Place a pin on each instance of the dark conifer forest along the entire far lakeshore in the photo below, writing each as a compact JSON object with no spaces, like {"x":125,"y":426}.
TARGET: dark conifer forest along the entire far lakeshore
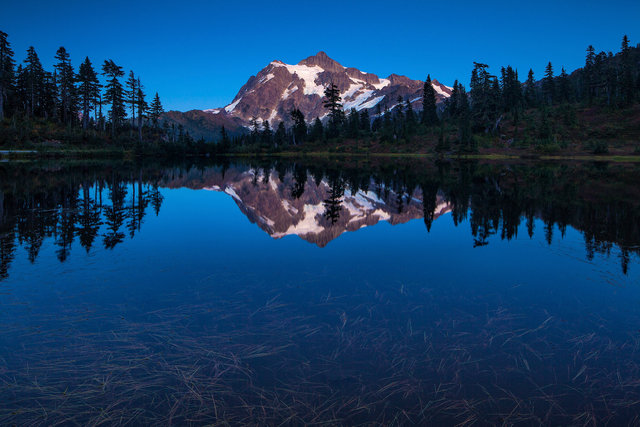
{"x":592,"y":110}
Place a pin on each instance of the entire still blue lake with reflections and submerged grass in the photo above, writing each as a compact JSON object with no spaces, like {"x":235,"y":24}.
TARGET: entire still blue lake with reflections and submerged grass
{"x":270,"y":292}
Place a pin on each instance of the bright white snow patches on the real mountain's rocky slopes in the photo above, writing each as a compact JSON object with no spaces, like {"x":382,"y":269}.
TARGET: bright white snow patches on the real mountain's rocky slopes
{"x":359,"y":95}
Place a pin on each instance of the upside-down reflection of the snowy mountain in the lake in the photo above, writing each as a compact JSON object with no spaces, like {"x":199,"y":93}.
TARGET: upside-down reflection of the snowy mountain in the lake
{"x":271,"y":203}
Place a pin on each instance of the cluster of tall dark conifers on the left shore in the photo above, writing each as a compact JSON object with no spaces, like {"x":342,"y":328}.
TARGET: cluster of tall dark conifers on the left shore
{"x":86,"y":98}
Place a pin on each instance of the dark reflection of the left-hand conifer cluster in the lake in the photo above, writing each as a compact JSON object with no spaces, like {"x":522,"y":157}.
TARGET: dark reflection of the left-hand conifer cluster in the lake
{"x":64,"y":205}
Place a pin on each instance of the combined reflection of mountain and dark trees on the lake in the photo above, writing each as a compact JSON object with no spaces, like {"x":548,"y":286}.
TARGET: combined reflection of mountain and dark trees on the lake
{"x":106,"y":203}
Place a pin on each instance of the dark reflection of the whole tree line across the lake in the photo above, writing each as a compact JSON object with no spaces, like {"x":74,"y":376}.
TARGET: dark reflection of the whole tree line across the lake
{"x":603,"y":202}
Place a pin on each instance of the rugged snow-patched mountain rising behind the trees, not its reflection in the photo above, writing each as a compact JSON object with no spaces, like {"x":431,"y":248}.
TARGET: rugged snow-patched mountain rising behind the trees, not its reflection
{"x":278,"y":88}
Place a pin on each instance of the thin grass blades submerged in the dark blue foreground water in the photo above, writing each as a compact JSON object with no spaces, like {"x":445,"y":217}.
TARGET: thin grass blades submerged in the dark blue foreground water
{"x":245,"y":353}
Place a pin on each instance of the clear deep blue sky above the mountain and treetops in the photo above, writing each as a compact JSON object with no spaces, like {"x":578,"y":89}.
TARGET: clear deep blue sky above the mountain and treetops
{"x":198,"y":54}
